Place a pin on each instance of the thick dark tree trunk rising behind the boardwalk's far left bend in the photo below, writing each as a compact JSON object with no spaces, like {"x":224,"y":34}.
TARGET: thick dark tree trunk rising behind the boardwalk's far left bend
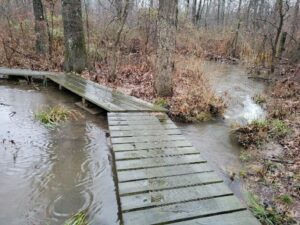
{"x":75,"y":52}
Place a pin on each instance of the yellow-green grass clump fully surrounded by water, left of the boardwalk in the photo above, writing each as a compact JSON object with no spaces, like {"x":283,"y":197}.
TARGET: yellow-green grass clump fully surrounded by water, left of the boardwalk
{"x":52,"y":116}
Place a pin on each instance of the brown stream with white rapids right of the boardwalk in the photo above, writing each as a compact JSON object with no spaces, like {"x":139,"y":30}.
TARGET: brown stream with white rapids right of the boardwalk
{"x":213,"y":138}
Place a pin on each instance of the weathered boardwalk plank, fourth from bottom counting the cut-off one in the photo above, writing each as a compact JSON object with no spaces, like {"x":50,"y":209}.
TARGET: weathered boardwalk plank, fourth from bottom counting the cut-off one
{"x":163,"y":183}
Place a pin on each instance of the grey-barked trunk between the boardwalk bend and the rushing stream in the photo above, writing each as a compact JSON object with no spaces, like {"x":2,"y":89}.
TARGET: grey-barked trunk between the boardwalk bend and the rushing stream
{"x":166,"y":40}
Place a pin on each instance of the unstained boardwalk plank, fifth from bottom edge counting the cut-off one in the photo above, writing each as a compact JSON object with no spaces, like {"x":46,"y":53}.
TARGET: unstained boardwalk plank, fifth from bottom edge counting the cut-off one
{"x":158,"y":172}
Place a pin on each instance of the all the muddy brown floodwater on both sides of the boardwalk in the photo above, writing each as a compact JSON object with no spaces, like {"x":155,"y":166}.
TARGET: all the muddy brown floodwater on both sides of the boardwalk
{"x":47,"y":175}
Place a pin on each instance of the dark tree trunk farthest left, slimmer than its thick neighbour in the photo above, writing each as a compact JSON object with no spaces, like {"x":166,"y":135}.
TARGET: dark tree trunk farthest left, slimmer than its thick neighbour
{"x":40,"y":27}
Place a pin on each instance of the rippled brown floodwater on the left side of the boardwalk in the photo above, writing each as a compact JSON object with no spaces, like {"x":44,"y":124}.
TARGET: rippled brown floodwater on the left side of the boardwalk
{"x":48,"y":175}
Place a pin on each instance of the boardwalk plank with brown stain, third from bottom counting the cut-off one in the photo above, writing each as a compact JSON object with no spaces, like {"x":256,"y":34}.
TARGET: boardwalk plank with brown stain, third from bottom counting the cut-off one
{"x":177,"y":195}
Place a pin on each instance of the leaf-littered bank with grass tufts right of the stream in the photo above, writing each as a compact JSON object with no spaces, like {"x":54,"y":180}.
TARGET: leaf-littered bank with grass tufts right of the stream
{"x":271,"y":154}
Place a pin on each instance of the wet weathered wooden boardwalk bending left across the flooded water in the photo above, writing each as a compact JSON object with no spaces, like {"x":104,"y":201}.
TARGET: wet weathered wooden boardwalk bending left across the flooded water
{"x":161,"y":177}
